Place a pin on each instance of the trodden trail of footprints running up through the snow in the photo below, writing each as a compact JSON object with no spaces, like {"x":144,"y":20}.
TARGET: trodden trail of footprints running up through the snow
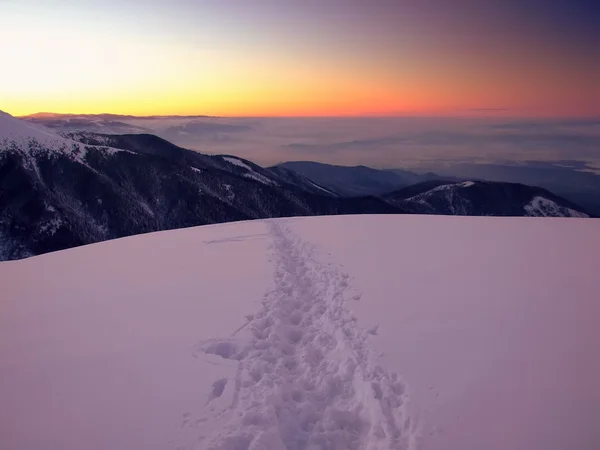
{"x":305,"y":377}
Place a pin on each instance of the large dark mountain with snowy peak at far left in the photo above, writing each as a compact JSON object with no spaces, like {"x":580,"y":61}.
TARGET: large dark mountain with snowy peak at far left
{"x":58,"y":192}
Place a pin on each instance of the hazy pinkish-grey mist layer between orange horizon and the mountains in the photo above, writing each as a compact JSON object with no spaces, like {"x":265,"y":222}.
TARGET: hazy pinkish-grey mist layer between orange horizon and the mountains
{"x":388,"y":142}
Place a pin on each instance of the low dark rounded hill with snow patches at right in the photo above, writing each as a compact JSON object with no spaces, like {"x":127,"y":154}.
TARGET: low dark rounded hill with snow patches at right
{"x":482,"y":198}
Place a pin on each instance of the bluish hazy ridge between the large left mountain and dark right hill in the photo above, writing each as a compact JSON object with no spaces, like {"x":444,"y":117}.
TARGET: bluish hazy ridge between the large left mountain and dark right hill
{"x":357,"y":180}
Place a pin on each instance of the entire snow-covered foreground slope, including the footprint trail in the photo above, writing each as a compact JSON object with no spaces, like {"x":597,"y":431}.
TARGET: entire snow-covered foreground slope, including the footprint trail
{"x":347,"y":332}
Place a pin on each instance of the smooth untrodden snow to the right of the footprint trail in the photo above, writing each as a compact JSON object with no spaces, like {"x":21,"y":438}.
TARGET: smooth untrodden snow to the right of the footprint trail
{"x":492,"y":322}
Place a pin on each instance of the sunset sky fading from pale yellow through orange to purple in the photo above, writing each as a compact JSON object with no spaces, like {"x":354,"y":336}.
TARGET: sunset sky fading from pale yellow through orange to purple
{"x":301,"y":57}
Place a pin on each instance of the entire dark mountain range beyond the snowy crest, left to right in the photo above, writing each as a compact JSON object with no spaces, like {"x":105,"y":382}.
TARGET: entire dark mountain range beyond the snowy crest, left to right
{"x":61,"y":190}
